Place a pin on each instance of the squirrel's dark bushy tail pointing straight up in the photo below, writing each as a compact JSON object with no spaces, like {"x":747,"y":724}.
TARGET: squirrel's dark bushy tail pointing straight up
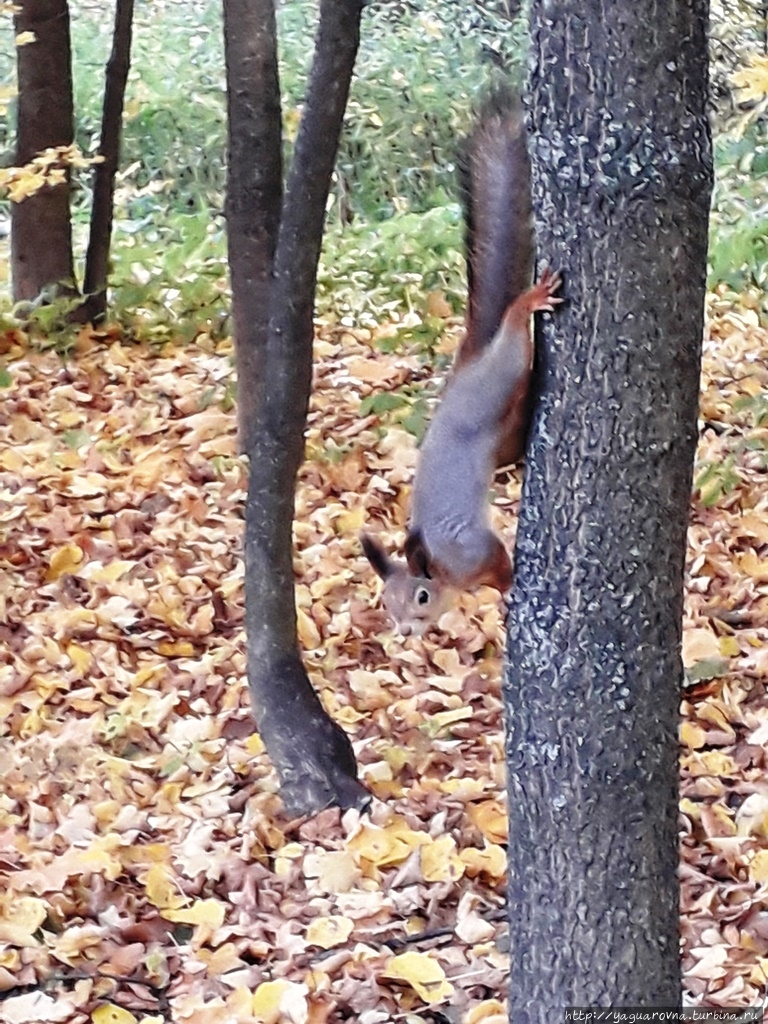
{"x":496,"y":186}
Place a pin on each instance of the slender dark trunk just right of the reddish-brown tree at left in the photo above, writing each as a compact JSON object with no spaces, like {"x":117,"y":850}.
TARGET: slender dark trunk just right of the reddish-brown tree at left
{"x":98,"y":257}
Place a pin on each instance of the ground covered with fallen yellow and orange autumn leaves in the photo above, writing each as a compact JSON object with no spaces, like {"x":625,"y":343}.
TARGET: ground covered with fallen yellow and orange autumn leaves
{"x":146,"y":872}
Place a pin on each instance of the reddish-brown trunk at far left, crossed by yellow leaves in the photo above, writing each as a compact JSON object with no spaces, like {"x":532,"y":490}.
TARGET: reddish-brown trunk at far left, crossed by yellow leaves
{"x":41,"y":232}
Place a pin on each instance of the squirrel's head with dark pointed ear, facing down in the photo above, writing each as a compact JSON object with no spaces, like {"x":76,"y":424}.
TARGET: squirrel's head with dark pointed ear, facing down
{"x":413,"y":600}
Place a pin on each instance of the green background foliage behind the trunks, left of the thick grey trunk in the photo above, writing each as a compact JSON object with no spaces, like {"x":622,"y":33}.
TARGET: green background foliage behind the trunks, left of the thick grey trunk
{"x":395,"y":226}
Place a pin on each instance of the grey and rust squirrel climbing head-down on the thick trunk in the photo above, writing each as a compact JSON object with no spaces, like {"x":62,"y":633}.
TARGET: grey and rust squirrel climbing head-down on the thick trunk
{"x":482,"y":421}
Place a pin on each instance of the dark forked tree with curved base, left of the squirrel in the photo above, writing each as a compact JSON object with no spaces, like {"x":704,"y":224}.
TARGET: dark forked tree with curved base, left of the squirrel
{"x":274,"y":254}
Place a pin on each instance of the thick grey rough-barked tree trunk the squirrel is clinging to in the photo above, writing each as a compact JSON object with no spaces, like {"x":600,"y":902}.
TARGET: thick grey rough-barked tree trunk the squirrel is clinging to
{"x":622,"y":182}
